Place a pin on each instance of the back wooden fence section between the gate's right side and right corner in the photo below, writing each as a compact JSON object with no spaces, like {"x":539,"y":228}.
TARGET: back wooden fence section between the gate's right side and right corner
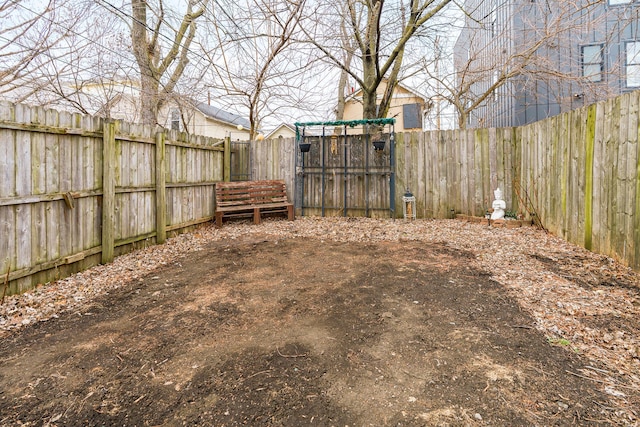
{"x":451,"y":172}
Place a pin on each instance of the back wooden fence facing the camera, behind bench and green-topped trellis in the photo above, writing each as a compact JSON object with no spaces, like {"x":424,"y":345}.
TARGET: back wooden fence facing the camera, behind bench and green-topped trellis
{"x":449,"y":172}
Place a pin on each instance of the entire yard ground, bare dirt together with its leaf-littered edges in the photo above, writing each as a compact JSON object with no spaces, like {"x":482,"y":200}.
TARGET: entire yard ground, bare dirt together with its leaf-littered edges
{"x":330,"y":322}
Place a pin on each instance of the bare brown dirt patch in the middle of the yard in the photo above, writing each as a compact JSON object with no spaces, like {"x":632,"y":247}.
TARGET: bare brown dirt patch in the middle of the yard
{"x":298,"y":331}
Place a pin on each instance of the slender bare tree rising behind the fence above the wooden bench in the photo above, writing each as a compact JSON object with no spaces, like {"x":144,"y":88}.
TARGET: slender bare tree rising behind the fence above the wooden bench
{"x":253,"y":62}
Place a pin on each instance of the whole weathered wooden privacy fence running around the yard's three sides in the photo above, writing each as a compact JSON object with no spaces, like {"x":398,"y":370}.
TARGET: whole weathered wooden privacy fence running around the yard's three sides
{"x":75,"y":190}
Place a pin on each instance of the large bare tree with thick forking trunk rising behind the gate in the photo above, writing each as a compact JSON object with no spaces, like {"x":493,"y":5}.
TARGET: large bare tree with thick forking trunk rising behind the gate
{"x":381,"y":31}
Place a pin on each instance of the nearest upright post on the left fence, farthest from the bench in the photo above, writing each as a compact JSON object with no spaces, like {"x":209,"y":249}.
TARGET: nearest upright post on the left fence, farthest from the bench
{"x":108,"y":189}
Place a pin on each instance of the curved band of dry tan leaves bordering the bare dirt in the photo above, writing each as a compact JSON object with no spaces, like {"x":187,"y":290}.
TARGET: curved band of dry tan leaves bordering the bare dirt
{"x":583,"y":301}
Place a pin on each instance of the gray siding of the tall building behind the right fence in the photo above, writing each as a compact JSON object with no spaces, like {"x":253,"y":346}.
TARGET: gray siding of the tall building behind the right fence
{"x":496,"y":32}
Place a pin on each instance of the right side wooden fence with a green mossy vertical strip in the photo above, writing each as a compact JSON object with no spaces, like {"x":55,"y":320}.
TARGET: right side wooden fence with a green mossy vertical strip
{"x":582,"y":173}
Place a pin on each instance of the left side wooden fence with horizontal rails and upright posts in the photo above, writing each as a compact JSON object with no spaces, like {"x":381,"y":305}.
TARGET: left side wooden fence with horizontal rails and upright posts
{"x":76,"y":190}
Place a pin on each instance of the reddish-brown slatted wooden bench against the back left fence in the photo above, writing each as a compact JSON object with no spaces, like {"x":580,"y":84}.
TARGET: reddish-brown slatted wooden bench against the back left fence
{"x":246,"y":198}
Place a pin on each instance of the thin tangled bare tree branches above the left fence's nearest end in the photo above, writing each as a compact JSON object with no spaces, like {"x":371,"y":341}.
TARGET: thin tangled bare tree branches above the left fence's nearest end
{"x":73,"y":55}
